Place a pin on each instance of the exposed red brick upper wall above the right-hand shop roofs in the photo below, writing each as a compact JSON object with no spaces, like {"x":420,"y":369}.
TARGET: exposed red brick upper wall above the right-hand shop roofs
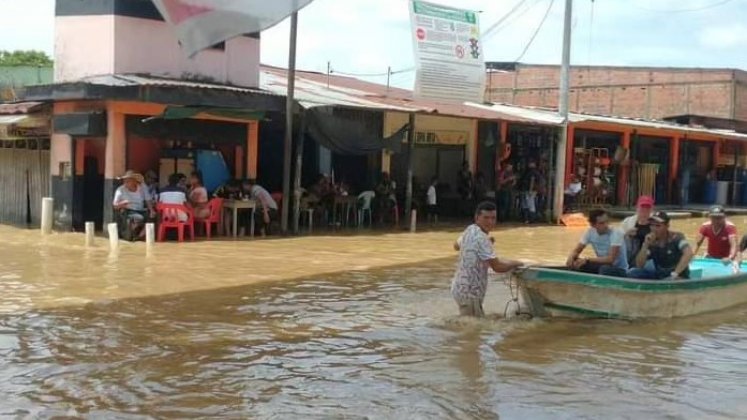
{"x":625,"y":91}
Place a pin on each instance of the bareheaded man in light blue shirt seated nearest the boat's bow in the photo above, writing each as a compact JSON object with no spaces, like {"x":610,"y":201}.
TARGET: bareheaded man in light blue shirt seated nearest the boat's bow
{"x":609,"y":246}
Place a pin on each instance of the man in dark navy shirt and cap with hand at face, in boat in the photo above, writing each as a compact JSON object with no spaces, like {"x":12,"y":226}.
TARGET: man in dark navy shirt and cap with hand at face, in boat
{"x":669,"y":251}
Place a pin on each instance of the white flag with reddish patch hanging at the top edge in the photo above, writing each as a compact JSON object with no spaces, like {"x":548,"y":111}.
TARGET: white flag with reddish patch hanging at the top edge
{"x":200,"y":24}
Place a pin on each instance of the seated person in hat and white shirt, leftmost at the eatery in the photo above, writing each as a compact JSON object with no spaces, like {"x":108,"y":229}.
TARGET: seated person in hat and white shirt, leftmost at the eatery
{"x":135,"y":204}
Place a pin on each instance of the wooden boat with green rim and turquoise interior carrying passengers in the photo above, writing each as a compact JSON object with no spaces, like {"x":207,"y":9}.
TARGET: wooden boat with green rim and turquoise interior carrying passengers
{"x":555,"y":292}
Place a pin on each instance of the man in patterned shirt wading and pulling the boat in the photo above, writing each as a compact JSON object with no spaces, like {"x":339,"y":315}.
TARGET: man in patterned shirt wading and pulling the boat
{"x":476,"y":254}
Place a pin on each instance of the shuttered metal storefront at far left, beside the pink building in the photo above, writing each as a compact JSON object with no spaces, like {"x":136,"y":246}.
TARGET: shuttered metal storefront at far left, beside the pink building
{"x":24,"y":167}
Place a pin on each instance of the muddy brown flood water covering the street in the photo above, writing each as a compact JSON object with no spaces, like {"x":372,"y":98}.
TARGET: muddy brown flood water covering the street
{"x":177,"y":334}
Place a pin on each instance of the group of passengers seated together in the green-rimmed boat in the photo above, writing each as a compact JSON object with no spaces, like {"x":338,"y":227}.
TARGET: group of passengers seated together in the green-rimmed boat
{"x":644,"y":247}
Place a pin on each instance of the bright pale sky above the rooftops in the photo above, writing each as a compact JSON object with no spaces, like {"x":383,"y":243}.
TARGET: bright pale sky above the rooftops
{"x":368,"y":36}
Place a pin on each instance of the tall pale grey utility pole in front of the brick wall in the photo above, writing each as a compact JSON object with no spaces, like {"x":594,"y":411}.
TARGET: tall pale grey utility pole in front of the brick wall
{"x":565,"y":71}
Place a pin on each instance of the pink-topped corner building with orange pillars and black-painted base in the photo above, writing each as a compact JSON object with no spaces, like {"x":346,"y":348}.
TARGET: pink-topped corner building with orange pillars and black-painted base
{"x":118,"y":65}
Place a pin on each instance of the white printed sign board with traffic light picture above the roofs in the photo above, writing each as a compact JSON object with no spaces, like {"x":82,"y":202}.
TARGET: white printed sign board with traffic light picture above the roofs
{"x":448,"y":53}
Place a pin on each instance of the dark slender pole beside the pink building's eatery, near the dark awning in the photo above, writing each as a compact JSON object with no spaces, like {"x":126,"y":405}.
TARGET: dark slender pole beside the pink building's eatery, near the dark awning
{"x":289,"y":109}
